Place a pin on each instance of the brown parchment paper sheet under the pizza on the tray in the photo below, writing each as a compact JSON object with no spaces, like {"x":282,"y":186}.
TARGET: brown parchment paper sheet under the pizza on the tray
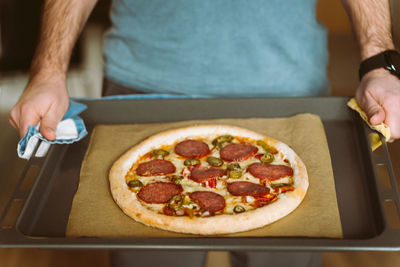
{"x":94,"y":213}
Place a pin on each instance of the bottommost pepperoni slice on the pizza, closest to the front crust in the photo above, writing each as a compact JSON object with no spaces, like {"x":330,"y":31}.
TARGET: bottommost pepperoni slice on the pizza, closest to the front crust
{"x":209,"y":201}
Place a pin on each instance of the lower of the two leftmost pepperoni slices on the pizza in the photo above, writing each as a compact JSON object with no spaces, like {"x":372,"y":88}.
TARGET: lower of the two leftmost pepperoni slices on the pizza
{"x":159,"y":192}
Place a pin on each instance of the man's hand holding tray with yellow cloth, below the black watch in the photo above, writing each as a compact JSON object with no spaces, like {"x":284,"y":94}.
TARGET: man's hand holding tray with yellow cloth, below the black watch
{"x":379,"y":96}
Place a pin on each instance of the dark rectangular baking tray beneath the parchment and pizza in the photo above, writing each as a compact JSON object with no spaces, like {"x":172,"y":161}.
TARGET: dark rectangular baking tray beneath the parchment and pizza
{"x":42,"y":220}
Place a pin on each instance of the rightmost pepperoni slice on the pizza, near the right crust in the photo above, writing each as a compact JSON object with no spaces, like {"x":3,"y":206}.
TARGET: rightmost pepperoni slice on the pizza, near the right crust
{"x":269,"y":171}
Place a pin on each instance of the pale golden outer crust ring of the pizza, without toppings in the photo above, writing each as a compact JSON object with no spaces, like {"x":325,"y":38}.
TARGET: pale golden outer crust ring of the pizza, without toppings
{"x":220,"y":224}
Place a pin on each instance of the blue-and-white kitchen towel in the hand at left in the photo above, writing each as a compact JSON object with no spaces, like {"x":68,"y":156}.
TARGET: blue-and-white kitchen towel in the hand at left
{"x":71,"y":129}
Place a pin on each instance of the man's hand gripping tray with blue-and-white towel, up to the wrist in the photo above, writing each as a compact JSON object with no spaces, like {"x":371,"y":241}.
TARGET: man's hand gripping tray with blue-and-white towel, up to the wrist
{"x":44,"y":101}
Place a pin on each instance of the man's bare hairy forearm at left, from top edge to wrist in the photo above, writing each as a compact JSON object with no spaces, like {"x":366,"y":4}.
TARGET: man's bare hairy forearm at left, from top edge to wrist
{"x":62,"y":22}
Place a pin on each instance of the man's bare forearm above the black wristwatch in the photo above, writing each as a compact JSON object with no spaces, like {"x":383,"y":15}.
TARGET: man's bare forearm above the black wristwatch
{"x":371,"y":24}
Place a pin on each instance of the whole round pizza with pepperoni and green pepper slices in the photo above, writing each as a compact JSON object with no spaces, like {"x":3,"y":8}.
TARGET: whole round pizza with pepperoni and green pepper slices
{"x":208,"y":179}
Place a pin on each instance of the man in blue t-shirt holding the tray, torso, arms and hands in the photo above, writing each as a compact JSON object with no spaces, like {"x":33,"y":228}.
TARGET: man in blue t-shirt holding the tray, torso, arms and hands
{"x":217,"y":48}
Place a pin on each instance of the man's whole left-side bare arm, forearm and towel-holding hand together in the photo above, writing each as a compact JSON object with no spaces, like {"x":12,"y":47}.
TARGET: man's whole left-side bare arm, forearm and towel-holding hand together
{"x":45,"y":98}
